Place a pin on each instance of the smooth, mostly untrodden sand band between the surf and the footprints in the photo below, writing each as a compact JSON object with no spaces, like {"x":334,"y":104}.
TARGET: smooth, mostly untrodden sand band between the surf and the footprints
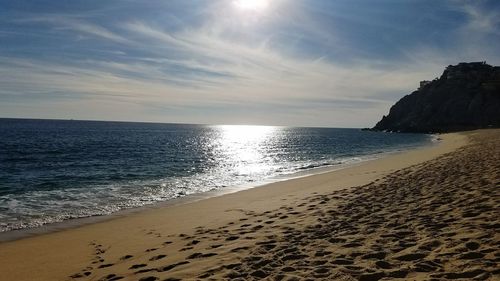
{"x":140,"y":230}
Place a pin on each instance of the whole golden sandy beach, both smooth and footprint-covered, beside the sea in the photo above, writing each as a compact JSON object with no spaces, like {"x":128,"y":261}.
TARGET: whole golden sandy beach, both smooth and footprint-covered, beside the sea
{"x":428,"y":214}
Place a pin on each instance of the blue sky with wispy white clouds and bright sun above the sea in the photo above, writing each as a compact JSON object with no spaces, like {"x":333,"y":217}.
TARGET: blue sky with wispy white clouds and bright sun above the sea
{"x":324,"y":63}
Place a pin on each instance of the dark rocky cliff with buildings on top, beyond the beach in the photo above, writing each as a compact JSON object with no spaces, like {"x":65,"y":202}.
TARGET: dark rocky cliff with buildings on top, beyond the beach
{"x":466,"y":96}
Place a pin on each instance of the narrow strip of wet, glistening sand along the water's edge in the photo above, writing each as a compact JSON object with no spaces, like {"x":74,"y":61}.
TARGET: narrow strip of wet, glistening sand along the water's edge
{"x":22,"y":233}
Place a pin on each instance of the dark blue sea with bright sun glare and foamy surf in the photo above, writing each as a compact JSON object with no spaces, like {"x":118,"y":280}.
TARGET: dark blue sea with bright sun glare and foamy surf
{"x":56,"y":170}
